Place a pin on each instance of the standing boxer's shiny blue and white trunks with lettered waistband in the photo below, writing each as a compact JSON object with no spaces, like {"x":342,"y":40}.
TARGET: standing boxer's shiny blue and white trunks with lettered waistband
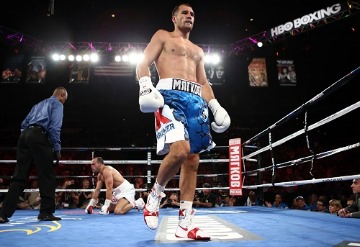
{"x":185,"y":116}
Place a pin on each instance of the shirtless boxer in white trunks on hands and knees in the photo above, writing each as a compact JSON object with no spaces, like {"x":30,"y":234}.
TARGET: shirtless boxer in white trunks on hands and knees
{"x":122,"y":200}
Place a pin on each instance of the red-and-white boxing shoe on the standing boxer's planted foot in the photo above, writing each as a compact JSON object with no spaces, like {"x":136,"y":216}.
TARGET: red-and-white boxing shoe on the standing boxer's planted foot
{"x":186,"y":229}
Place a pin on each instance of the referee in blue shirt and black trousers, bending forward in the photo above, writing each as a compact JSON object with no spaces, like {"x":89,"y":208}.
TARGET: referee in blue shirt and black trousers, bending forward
{"x":38,"y":143}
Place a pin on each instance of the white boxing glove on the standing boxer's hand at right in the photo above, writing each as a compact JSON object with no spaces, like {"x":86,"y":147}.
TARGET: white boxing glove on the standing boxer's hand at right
{"x":221,"y":117}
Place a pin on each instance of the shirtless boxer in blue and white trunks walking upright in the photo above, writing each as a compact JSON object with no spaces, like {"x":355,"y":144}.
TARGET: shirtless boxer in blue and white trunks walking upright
{"x":180,"y":101}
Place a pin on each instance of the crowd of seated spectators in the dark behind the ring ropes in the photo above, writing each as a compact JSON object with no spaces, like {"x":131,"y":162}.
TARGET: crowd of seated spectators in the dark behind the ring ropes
{"x":312,"y":197}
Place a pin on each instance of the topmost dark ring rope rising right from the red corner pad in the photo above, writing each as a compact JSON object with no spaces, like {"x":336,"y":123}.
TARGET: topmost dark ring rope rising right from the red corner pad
{"x":339,"y":83}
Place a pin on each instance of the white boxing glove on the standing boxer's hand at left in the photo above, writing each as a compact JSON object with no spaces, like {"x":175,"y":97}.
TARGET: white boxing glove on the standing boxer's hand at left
{"x":150,"y":99}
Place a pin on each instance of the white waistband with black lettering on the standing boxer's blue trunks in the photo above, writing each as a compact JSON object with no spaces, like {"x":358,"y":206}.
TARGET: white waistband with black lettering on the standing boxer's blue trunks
{"x":180,"y":85}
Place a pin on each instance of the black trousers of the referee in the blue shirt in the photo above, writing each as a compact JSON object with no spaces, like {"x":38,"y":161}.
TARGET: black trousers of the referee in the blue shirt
{"x":33,"y":148}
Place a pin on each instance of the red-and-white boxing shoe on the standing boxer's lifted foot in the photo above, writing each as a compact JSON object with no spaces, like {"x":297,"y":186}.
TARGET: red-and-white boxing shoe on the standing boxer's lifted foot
{"x":151,"y":209}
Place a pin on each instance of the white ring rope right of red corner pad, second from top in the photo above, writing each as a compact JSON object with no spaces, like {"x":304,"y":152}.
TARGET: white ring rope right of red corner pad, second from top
{"x":311,"y":127}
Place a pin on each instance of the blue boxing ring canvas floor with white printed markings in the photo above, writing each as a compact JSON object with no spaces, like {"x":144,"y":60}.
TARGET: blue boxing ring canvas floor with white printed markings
{"x":229,"y":226}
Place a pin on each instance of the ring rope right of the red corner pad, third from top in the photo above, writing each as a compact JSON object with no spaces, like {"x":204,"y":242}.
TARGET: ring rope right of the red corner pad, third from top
{"x":307,"y":158}
